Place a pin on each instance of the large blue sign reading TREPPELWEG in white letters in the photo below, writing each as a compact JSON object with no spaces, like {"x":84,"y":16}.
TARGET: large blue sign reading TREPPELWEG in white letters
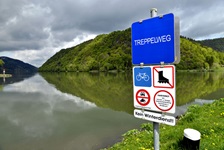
{"x":153,"y":40}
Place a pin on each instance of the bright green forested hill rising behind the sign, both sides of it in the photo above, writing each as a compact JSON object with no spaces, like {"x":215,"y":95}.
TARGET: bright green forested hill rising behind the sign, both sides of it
{"x":113,"y":52}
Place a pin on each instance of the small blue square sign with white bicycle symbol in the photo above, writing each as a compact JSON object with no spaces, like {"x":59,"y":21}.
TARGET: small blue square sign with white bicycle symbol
{"x":142,"y":76}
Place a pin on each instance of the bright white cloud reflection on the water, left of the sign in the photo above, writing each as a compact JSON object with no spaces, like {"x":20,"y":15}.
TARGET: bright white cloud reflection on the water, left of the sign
{"x":50,"y":95}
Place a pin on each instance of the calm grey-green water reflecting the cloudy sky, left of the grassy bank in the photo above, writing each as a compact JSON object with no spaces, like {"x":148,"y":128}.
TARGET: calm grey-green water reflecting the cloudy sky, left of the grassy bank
{"x":35,"y":115}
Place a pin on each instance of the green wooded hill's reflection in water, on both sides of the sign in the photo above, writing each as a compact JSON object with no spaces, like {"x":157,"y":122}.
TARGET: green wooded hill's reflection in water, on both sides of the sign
{"x":115,"y":91}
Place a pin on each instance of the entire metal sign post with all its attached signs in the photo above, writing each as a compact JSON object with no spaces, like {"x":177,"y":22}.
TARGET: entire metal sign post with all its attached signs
{"x":155,"y":41}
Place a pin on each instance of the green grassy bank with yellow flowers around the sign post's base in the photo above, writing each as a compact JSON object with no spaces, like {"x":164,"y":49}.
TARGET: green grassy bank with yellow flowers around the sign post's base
{"x":207,"y":119}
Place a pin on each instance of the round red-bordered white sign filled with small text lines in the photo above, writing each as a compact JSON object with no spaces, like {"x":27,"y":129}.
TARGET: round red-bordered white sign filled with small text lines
{"x":163,"y":100}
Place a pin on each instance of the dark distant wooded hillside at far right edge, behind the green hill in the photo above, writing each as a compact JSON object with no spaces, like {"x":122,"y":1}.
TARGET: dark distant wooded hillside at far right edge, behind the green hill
{"x":216,"y":44}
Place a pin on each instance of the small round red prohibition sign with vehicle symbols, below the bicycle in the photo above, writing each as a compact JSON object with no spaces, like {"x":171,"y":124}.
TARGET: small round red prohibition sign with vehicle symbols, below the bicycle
{"x":142,"y":96}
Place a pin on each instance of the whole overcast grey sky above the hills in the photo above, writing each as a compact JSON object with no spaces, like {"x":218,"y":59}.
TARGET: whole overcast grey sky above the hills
{"x":34,"y":30}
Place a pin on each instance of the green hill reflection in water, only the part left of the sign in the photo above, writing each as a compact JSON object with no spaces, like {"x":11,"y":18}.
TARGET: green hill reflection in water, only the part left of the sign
{"x":108,"y":90}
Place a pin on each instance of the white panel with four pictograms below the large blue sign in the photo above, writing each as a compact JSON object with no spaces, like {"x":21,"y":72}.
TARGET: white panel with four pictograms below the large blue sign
{"x":157,"y":91}
